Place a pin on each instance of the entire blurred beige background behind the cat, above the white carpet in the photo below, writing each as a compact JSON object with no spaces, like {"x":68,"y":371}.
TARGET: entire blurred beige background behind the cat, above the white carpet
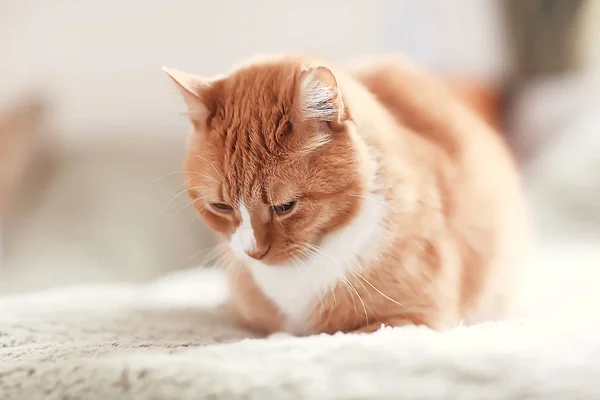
{"x":100,"y":132}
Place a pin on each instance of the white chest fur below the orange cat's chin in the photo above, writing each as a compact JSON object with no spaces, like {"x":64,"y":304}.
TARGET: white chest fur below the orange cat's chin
{"x":295,"y":288}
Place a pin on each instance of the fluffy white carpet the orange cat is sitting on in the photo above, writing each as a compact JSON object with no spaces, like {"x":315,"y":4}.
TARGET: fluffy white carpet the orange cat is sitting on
{"x":170,"y":340}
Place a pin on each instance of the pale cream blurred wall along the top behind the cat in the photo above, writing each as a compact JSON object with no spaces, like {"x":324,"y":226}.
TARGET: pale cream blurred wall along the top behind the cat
{"x":101,"y":60}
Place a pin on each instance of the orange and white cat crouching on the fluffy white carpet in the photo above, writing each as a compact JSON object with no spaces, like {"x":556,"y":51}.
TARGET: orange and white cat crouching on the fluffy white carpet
{"x":352,"y":198}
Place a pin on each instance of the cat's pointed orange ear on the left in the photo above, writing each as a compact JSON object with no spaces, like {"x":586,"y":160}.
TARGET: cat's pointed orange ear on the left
{"x":195,"y":93}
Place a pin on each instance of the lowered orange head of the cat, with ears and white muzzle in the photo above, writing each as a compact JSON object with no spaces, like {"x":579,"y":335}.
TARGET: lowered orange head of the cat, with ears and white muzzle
{"x":272,"y":164}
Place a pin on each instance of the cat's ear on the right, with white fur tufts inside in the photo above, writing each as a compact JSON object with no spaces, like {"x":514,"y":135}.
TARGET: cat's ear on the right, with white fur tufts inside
{"x":320,"y":95}
